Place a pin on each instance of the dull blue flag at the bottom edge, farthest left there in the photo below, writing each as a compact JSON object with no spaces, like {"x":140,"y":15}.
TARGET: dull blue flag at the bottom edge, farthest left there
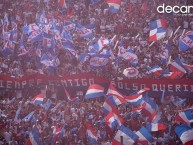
{"x":34,"y":137}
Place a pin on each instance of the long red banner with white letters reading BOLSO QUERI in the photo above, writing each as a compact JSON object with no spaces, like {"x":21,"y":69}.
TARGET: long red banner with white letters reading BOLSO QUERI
{"x":80,"y":82}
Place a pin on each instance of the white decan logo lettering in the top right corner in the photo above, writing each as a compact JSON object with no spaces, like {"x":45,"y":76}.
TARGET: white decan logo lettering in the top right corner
{"x":174,"y":9}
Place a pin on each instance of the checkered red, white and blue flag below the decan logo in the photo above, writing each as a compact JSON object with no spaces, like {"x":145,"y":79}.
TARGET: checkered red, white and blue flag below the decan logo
{"x":157,"y":30}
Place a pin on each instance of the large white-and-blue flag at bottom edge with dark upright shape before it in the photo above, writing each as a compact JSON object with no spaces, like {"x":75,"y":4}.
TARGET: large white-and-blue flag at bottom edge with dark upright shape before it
{"x":129,"y":137}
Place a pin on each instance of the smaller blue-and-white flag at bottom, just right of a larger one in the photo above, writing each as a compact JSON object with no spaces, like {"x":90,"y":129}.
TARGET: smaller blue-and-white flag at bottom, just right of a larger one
{"x":144,"y":135}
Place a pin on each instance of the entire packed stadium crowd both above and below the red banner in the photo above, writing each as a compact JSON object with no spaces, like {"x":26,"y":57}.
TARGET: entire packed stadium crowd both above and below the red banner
{"x":131,"y":27}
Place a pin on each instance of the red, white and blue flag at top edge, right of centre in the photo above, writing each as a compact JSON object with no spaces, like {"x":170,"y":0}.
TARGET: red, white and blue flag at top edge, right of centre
{"x":114,"y":5}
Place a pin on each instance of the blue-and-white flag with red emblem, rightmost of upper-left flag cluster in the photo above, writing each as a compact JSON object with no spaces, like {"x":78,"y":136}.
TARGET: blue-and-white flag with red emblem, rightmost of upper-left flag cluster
{"x":83,"y":31}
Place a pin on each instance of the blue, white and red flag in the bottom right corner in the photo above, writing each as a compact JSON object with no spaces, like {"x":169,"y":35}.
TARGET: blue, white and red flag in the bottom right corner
{"x":184,"y":132}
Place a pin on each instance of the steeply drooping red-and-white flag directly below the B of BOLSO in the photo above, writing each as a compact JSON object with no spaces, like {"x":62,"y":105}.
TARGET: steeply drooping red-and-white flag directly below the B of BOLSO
{"x":117,"y":96}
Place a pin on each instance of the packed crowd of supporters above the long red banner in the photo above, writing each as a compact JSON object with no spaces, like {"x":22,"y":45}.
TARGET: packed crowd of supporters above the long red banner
{"x":131,"y":25}
